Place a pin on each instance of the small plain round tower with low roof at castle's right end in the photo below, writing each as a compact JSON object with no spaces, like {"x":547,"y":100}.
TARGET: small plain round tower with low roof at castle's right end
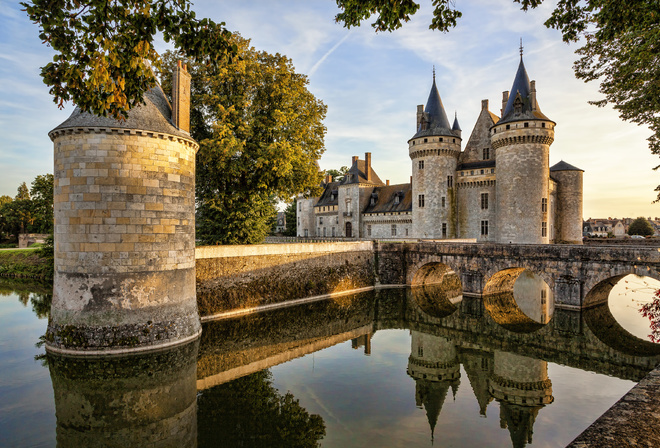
{"x":569,"y":203}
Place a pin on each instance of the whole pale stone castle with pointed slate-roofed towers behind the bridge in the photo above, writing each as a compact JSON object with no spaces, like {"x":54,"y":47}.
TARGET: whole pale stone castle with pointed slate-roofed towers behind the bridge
{"x":499,"y":188}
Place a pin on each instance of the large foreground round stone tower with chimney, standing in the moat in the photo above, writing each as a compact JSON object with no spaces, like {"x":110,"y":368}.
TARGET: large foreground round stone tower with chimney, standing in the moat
{"x":124,"y":205}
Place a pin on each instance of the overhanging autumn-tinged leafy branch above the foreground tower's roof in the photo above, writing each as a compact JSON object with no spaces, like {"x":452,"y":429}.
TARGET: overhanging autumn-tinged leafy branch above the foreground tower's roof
{"x":104,"y":50}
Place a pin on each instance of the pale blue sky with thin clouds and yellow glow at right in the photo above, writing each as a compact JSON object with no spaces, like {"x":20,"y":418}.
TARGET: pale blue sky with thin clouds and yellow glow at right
{"x":372,"y":83}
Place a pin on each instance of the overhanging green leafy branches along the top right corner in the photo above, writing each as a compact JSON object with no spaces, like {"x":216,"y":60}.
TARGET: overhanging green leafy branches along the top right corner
{"x":622,"y":47}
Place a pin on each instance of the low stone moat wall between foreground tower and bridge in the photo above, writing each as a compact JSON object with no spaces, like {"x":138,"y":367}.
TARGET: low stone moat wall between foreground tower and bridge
{"x":243,"y":277}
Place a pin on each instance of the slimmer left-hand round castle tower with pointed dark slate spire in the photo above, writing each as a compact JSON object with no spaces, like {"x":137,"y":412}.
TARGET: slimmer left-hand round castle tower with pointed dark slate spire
{"x":434,"y":151}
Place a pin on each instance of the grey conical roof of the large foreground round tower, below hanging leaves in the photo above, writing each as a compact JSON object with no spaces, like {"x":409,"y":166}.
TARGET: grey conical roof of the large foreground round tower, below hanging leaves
{"x":155,"y":115}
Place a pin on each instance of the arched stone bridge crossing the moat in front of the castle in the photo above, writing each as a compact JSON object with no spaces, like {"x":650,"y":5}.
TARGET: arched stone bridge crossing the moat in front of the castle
{"x":579,"y":276}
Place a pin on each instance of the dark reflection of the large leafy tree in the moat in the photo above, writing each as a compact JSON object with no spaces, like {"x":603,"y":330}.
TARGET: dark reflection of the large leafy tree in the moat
{"x":250,"y":412}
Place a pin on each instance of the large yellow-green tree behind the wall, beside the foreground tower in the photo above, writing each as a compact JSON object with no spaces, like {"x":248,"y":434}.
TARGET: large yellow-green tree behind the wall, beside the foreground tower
{"x":260,"y":132}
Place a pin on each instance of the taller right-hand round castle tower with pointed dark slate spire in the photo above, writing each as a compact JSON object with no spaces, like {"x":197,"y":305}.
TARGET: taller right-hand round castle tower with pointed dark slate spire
{"x":521,"y":140}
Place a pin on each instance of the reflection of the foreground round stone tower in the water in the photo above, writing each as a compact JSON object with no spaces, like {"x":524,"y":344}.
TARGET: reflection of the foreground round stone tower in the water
{"x":130,"y":401}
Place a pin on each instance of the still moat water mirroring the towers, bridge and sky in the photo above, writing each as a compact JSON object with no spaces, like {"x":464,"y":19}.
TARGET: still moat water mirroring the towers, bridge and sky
{"x":391,"y":368}
